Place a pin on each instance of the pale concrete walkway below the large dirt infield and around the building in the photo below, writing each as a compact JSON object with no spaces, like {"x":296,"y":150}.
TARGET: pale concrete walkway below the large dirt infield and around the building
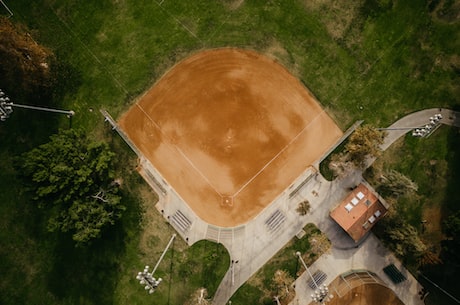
{"x":251,"y":245}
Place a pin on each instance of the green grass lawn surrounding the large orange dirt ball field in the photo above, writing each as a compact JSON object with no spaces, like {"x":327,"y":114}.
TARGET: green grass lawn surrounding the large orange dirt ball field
{"x":387,"y":57}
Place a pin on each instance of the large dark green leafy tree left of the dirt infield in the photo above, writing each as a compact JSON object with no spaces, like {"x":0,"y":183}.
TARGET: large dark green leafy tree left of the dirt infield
{"x":73,"y":178}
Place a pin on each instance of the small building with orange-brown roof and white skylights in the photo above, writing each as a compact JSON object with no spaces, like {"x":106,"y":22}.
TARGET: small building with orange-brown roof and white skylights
{"x":359,"y":211}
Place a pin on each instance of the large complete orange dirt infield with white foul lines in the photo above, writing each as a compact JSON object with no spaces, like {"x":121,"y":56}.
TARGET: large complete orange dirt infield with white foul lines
{"x":229,"y":130}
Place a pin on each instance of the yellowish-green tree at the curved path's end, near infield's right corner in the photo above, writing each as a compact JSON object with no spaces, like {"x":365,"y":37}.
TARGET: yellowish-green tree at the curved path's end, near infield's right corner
{"x":364,"y":143}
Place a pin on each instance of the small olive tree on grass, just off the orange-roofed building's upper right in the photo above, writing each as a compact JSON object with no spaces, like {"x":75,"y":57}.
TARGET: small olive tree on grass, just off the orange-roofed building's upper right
{"x":396,"y":184}
